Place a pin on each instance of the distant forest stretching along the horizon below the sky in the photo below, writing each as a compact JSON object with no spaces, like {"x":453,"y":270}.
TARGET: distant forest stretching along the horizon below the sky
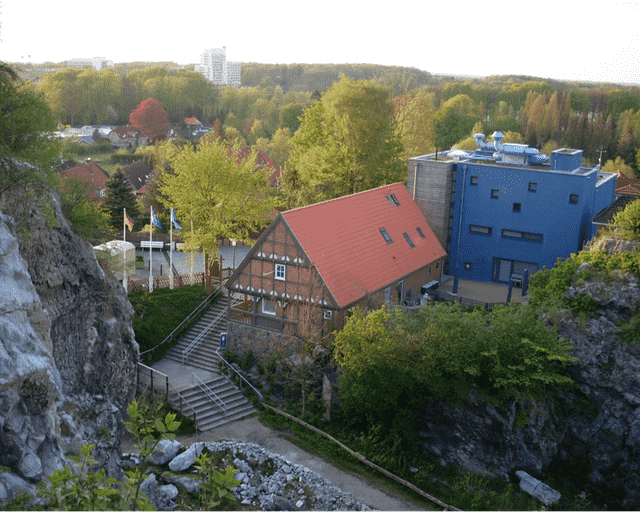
{"x":429,"y":112}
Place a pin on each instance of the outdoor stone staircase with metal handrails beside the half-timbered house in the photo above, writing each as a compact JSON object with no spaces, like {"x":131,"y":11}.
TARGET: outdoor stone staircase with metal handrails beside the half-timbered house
{"x":203,"y":361}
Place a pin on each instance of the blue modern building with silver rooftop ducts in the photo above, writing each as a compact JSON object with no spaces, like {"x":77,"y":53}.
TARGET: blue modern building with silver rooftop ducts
{"x":507,"y":208}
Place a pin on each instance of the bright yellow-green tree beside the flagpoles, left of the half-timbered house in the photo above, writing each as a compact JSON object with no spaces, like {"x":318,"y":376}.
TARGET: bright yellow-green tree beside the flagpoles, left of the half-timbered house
{"x":224,"y":195}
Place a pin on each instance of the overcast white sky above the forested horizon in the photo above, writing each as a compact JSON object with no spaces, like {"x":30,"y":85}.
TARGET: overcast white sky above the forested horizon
{"x":560,"y":39}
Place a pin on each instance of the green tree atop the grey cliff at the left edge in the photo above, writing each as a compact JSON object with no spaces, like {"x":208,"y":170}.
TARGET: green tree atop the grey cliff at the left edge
{"x":25,"y":121}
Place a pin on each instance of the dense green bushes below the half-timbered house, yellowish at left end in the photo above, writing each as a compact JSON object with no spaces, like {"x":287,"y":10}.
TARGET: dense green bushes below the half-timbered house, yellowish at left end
{"x":388,"y":358}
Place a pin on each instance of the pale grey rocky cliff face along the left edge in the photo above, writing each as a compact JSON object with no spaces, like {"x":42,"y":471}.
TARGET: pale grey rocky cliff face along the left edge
{"x":67,"y":350}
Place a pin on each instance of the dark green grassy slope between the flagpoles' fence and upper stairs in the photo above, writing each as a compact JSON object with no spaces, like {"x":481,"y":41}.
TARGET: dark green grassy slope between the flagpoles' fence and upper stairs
{"x":157,"y":314}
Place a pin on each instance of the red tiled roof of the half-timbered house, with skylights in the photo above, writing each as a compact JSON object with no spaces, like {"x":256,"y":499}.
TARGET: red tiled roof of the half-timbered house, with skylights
{"x":342,"y":239}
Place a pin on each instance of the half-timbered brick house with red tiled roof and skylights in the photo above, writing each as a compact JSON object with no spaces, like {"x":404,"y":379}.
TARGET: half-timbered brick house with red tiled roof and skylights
{"x":363,"y":250}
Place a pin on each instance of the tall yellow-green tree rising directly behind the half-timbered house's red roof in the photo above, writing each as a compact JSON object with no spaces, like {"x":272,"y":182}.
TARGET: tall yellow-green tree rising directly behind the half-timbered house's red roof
{"x":346,"y":141}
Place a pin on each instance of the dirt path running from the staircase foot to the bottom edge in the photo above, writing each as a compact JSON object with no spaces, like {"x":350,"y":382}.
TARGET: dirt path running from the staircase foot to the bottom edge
{"x":250,"y":430}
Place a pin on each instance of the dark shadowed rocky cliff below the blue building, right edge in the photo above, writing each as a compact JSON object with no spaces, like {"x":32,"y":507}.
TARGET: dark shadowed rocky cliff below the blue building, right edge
{"x":592,"y":431}
